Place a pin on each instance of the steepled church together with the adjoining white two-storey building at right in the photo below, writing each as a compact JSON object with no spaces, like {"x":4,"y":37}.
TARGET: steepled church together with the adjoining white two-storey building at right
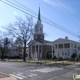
{"x":62,"y":47}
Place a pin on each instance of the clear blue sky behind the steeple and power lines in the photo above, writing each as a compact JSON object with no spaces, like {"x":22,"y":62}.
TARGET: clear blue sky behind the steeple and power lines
{"x":65,"y":13}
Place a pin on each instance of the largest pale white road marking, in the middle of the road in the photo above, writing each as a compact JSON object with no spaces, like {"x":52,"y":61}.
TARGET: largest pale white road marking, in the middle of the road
{"x":46,"y":70}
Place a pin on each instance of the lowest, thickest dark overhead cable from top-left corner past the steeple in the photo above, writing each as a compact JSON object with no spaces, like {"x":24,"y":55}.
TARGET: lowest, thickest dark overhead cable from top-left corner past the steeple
{"x":58,"y":27}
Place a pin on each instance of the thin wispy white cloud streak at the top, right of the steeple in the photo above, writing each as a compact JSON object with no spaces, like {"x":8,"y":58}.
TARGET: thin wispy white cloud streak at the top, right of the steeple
{"x":59,"y":4}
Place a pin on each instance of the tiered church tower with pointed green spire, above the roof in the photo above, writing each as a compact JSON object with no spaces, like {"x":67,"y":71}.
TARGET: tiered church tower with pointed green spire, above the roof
{"x":39,"y":35}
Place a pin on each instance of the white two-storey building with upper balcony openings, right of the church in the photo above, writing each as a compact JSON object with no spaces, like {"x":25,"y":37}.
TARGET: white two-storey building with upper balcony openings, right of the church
{"x":65,"y":48}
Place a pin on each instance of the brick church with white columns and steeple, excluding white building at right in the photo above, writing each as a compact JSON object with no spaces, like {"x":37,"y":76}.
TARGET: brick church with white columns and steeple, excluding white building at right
{"x":38,"y":47}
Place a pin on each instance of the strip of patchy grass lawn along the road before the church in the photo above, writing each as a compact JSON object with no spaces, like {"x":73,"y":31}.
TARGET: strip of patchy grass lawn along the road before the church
{"x":45,"y":62}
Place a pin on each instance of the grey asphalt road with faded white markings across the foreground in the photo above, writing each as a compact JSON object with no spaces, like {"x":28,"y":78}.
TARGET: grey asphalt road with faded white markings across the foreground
{"x":26,"y":71}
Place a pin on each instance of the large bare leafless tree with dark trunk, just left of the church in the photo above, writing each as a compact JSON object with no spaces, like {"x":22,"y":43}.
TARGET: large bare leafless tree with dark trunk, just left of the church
{"x":22,"y":29}
